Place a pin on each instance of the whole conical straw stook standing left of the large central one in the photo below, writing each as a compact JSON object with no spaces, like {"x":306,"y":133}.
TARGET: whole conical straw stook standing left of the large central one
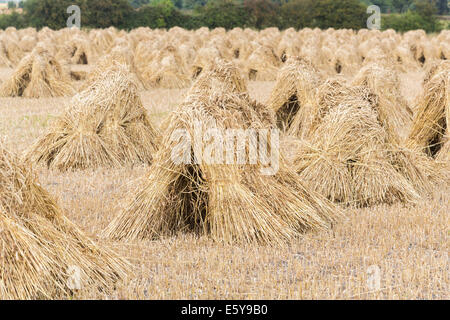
{"x":104,"y":125}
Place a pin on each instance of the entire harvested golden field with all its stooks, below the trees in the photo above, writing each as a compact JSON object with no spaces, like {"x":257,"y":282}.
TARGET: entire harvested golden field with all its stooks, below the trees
{"x":115,"y":163}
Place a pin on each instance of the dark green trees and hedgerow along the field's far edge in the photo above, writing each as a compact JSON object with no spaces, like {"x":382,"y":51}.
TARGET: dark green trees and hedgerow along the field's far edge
{"x":258,"y":14}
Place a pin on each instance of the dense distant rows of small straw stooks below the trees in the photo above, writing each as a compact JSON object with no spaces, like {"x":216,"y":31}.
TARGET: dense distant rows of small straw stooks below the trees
{"x":173,"y":58}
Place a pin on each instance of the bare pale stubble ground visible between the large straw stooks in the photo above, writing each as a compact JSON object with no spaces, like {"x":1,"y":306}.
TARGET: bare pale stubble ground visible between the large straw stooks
{"x":409,"y":244}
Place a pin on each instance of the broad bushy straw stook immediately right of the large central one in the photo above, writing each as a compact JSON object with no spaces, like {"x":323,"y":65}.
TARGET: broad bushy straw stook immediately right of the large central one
{"x":350,"y":156}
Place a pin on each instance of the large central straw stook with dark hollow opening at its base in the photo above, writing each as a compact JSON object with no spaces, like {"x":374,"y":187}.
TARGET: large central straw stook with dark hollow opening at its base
{"x":232,"y":203}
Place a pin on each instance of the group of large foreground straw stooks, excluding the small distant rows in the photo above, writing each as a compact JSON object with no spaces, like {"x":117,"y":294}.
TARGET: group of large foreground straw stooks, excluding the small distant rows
{"x":343,"y":144}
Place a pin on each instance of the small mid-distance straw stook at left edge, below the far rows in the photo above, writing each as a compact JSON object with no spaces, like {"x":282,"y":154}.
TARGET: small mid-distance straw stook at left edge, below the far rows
{"x":38,"y":75}
